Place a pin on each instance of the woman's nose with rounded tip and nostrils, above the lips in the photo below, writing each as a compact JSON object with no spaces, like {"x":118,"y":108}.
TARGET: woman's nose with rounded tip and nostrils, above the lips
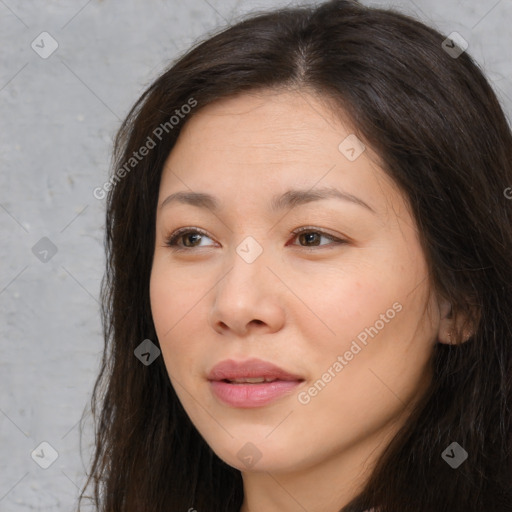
{"x":248,"y":299}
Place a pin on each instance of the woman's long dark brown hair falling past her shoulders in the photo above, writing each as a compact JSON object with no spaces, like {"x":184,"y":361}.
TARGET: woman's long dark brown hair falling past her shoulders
{"x":444,"y":140}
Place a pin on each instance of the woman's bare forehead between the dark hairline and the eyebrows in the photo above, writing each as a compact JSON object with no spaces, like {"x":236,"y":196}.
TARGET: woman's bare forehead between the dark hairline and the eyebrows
{"x":270,"y":140}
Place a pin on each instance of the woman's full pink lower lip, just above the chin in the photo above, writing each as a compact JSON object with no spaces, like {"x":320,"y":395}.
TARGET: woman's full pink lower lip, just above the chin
{"x":252,"y":395}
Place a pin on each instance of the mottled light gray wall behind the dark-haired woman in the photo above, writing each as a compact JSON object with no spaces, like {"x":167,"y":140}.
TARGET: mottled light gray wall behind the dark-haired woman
{"x":58,"y":116}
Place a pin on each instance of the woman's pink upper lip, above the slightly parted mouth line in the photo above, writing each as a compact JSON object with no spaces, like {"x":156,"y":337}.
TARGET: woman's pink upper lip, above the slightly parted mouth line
{"x":250,"y":368}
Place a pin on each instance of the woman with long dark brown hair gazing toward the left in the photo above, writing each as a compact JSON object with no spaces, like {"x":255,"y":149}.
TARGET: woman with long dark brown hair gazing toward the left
{"x":250,"y":367}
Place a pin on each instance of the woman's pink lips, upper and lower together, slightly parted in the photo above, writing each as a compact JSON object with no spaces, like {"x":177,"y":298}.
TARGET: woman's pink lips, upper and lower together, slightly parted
{"x":250,"y":395}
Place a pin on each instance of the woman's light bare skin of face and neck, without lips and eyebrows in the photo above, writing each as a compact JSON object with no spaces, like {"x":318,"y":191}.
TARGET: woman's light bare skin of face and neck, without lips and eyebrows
{"x":300,"y":304}
